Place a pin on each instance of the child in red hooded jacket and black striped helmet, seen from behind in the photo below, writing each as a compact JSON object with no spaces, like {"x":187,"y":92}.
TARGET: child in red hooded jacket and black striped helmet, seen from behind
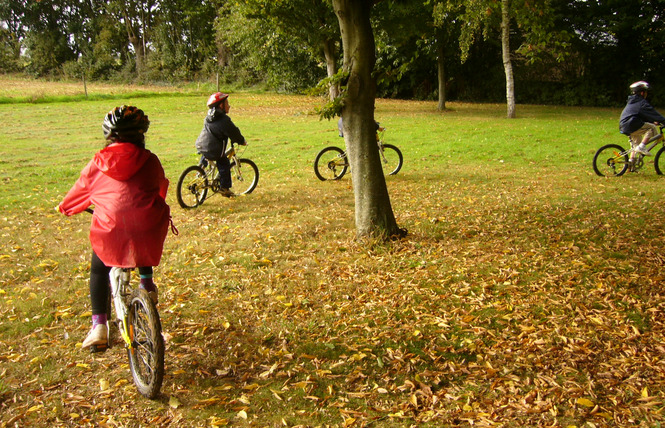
{"x":127,"y":186}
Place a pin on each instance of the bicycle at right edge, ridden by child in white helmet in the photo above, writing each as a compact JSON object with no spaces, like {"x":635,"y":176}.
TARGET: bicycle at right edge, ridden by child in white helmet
{"x":613,"y":160}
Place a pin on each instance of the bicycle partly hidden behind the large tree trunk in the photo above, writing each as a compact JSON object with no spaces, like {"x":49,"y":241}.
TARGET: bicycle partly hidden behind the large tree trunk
{"x":331,"y":163}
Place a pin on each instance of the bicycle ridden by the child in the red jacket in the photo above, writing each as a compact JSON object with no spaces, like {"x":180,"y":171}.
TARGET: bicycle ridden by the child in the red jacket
{"x":140,"y":328}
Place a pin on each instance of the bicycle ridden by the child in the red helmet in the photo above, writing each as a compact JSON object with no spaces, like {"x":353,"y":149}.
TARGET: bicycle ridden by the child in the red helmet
{"x":196,"y":180}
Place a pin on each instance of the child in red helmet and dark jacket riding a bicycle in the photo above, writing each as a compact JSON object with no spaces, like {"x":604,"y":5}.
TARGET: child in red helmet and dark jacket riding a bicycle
{"x":218,"y":128}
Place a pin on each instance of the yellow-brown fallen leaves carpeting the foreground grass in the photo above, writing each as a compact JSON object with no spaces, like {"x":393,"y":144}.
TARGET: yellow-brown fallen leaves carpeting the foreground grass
{"x":499,"y":309}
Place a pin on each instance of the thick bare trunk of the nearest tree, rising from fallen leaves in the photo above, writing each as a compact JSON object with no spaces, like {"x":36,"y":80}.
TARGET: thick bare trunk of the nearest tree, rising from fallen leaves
{"x":374,"y":214}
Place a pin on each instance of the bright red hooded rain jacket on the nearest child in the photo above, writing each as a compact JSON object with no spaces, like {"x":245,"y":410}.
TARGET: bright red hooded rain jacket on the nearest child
{"x":127,"y":186}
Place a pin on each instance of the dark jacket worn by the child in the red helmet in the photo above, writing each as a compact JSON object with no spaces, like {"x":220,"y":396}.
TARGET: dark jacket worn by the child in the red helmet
{"x":218,"y":128}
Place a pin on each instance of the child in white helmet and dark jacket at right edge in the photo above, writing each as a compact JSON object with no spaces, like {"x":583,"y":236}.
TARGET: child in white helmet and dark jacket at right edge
{"x":639,"y":119}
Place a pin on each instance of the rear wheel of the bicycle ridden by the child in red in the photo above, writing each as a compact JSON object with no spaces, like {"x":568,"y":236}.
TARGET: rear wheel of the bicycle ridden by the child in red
{"x":146,"y":355}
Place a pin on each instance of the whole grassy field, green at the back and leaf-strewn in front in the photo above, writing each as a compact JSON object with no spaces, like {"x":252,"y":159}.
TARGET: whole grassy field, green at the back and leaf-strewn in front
{"x":528,"y":292}
